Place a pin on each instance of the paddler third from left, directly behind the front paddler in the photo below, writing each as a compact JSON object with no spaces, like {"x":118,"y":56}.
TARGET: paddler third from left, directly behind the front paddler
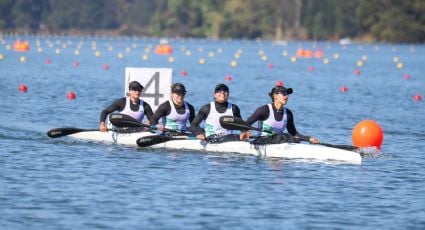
{"x":211,"y":113}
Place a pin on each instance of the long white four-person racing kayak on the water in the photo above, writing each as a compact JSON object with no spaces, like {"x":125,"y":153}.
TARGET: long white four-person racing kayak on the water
{"x":284,"y":150}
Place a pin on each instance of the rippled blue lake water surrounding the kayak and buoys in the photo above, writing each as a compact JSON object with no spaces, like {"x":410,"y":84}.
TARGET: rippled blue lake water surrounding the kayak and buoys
{"x":67,"y":184}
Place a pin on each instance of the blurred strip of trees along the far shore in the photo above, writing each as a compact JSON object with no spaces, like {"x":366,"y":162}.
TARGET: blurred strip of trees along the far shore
{"x":369,"y":20}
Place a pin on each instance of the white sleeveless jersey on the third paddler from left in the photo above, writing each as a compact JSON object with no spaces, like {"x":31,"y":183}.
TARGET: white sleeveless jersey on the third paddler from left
{"x":212,"y":123}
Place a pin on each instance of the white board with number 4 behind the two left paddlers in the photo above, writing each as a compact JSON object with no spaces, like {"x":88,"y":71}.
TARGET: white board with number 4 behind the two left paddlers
{"x":156,"y":83}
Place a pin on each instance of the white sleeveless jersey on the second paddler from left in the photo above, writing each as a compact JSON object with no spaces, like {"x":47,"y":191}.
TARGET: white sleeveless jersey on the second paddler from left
{"x":176,"y":121}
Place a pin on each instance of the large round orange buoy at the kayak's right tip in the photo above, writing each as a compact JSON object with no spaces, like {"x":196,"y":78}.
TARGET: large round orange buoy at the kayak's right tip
{"x":367,"y":133}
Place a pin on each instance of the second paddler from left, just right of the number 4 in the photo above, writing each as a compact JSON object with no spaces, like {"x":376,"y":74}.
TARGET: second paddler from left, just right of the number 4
{"x":175,"y":113}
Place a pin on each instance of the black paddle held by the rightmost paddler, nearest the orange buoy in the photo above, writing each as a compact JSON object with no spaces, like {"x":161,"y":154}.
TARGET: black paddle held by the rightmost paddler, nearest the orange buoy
{"x":236,"y":123}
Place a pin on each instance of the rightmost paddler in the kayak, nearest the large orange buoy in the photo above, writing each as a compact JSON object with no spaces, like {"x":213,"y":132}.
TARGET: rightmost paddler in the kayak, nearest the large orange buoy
{"x":277,"y":118}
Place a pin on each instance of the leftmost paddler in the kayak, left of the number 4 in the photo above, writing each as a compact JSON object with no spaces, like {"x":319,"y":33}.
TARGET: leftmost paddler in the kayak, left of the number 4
{"x":131,"y":105}
